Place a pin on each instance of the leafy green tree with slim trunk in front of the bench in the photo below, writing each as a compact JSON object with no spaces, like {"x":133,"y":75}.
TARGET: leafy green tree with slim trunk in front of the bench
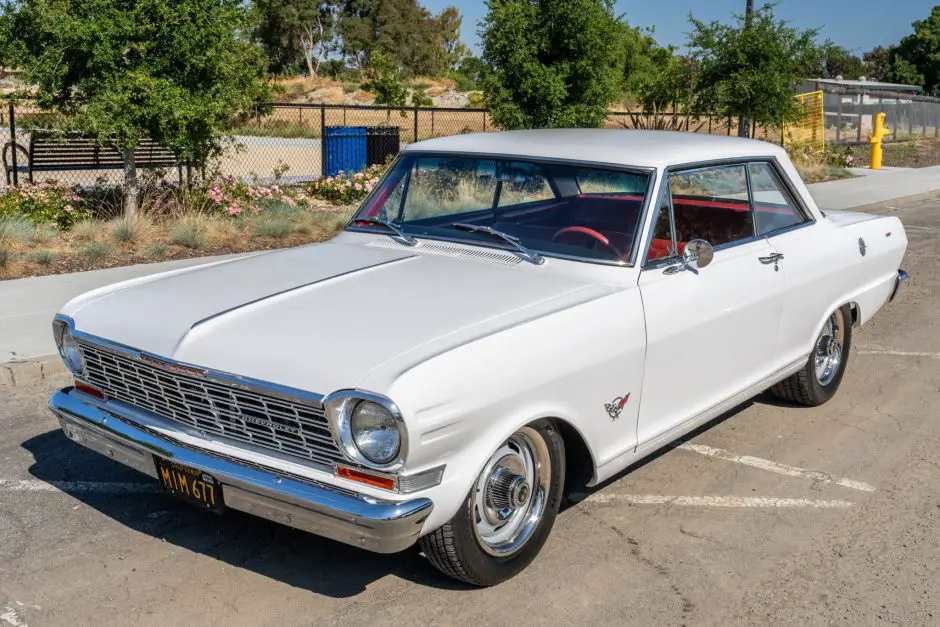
{"x":173,"y":70}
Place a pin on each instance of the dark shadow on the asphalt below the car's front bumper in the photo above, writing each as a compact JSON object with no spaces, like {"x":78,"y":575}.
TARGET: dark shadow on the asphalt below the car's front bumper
{"x":294,"y":557}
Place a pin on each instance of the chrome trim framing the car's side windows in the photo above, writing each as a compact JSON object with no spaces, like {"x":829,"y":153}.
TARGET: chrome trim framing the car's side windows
{"x":721,"y":163}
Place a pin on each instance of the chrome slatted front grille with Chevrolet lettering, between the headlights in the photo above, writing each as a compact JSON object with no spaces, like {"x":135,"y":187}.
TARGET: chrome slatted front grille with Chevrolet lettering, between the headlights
{"x":266,"y":421}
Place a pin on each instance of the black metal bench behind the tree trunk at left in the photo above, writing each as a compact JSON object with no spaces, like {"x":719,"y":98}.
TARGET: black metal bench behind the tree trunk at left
{"x":61,"y":152}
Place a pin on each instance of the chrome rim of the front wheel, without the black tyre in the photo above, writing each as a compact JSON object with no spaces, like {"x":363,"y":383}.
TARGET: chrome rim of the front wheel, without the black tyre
{"x":510,"y":494}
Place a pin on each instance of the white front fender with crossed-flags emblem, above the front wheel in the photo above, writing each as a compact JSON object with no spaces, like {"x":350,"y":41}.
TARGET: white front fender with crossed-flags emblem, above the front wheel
{"x":461,"y":405}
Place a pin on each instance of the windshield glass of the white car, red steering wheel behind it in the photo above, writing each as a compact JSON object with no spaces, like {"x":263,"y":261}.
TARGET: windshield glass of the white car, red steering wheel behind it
{"x":576,"y":211}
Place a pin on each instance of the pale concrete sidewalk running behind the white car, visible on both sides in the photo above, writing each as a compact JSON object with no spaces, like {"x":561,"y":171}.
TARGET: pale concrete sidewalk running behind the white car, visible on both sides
{"x":28,"y":305}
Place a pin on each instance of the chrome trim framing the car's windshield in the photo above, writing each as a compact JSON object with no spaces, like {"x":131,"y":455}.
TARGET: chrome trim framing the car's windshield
{"x":644,"y":208}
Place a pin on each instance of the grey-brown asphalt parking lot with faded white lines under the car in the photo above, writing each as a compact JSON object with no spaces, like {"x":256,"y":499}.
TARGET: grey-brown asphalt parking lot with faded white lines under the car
{"x":771,"y":514}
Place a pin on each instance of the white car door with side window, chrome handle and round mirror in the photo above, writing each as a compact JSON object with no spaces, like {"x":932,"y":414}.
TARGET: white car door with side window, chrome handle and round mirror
{"x":711,"y":333}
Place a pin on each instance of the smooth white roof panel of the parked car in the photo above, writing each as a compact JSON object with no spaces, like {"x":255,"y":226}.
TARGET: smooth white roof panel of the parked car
{"x":648,"y":149}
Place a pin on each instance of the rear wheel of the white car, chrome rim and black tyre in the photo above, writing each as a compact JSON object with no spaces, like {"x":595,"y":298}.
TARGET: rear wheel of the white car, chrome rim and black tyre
{"x":820,"y":378}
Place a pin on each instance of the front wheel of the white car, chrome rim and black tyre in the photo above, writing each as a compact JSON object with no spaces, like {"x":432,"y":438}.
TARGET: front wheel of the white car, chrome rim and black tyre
{"x":508,"y":513}
